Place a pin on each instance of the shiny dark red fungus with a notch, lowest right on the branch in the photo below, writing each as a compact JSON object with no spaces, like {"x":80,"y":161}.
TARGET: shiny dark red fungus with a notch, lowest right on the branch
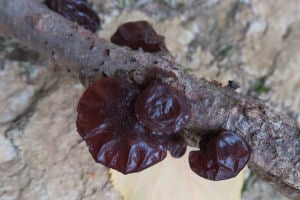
{"x":220,"y":157}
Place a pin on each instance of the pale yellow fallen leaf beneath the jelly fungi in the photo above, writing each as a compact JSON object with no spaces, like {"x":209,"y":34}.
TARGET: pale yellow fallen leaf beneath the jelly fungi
{"x":173,"y":179}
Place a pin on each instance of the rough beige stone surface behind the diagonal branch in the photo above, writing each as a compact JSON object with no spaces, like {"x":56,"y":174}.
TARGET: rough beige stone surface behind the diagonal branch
{"x":253,"y":42}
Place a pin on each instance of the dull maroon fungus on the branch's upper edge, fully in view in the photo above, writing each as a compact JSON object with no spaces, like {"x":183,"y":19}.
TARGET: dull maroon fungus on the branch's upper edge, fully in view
{"x":139,"y":34}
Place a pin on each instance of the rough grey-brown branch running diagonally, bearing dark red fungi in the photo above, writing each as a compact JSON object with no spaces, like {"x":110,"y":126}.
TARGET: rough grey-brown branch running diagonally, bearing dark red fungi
{"x":273,"y":137}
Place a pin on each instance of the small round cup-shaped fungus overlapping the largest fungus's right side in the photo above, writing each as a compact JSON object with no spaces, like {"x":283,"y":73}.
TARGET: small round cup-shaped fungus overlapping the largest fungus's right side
{"x":162,"y":109}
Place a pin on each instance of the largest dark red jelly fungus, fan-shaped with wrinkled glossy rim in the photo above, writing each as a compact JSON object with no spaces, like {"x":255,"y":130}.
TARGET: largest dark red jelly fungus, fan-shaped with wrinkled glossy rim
{"x":106,"y":121}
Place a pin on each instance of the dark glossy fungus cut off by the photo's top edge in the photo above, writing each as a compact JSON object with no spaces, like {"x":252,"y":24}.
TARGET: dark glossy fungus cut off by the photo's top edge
{"x":77,"y":11}
